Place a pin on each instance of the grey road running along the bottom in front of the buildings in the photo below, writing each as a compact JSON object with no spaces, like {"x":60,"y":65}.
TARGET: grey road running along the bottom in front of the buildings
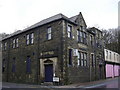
{"x":108,"y":83}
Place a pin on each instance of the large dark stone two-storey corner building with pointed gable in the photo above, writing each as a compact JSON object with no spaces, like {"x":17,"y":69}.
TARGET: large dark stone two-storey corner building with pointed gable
{"x":54,"y":49}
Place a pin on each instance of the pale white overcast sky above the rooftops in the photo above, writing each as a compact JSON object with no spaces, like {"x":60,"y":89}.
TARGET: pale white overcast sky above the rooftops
{"x":19,"y":14}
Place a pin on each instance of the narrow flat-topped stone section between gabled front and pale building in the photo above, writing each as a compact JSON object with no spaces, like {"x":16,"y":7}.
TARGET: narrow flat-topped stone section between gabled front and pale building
{"x":96,"y":50}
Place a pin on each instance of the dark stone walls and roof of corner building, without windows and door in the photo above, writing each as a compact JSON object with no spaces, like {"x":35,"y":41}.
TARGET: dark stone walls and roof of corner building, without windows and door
{"x":54,"y":51}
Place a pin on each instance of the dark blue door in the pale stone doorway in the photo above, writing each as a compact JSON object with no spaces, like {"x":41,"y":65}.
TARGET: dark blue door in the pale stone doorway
{"x":49,"y":73}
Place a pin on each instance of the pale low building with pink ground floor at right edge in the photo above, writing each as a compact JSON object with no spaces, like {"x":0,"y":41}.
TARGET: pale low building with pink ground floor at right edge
{"x":112,"y":63}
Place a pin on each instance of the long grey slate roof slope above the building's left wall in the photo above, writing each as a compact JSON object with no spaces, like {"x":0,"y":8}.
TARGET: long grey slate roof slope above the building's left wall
{"x":45,"y":21}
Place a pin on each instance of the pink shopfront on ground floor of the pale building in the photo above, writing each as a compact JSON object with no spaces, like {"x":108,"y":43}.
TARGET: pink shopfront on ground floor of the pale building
{"x":112,"y":70}
